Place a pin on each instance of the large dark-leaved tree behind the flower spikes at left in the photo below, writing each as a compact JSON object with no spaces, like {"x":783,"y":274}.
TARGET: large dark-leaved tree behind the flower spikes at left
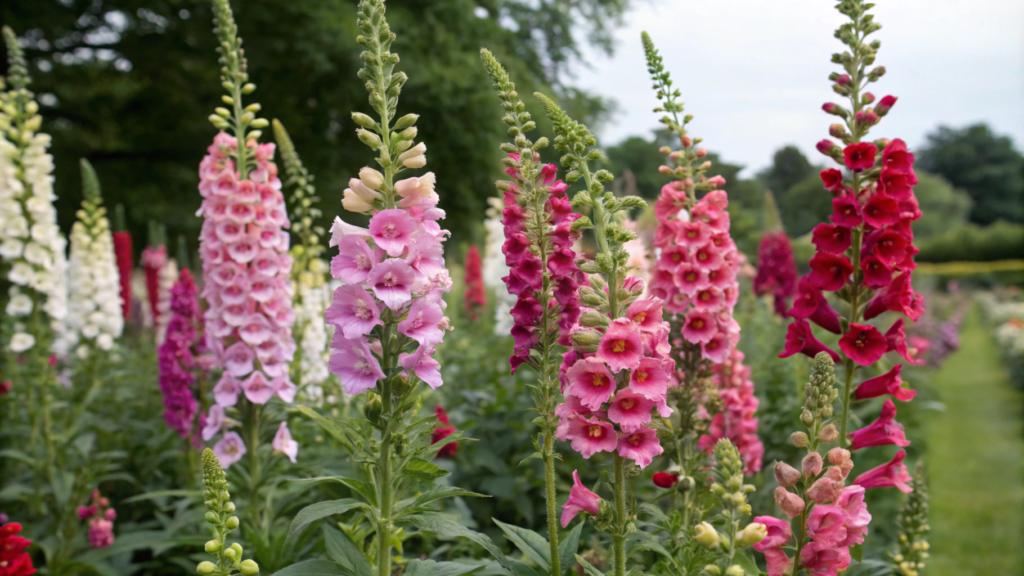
{"x":130,"y":84}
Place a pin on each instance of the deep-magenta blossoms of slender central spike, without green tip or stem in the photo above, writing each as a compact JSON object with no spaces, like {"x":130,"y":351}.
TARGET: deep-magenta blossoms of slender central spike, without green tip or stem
{"x":524,"y":260}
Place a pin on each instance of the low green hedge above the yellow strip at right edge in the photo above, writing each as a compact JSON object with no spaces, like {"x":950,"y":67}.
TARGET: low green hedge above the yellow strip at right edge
{"x":1000,"y":241}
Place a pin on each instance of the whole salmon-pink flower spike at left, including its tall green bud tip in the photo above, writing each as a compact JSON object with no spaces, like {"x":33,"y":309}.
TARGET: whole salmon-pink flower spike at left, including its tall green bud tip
{"x":246,"y":267}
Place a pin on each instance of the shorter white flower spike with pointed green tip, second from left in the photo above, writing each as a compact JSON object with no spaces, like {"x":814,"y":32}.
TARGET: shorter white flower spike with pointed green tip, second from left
{"x":96,"y":309}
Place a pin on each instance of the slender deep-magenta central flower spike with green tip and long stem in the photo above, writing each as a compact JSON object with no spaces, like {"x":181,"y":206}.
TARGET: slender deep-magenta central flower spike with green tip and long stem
{"x":543,"y":279}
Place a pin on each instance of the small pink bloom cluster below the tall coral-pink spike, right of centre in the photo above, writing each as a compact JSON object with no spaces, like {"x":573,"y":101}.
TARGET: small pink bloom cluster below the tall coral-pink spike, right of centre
{"x":736,"y":422}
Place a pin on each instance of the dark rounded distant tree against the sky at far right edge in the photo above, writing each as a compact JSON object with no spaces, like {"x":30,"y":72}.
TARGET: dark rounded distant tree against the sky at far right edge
{"x":984,"y":164}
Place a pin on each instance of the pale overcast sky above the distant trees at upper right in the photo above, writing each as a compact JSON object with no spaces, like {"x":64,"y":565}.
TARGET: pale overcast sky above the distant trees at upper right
{"x":754,"y":73}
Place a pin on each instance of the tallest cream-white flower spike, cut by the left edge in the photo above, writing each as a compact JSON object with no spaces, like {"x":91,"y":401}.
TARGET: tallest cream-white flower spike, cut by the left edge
{"x":31,"y":243}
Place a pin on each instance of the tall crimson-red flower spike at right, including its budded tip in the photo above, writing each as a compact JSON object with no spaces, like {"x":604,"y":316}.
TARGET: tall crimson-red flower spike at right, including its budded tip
{"x":866,"y":254}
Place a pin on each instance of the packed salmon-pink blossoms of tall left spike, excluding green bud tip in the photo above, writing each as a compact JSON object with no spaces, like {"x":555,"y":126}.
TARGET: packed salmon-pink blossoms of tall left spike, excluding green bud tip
{"x":246,"y":269}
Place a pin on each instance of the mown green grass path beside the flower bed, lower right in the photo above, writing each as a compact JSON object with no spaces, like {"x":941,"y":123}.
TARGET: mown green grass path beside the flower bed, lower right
{"x":976,"y":464}
